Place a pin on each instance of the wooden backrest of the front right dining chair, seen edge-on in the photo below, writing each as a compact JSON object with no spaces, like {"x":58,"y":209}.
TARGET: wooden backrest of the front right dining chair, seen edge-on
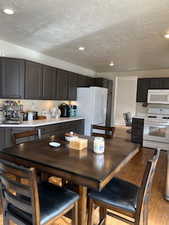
{"x":146,"y":185}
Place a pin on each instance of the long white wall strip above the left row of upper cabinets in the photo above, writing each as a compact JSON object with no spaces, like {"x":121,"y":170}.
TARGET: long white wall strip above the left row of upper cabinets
{"x":11,"y":50}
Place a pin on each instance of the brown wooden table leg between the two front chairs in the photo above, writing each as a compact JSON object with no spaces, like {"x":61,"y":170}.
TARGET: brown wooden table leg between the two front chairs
{"x":82,"y":211}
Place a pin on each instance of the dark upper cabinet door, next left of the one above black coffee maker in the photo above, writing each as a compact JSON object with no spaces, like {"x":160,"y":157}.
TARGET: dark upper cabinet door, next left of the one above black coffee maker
{"x":49,"y":82}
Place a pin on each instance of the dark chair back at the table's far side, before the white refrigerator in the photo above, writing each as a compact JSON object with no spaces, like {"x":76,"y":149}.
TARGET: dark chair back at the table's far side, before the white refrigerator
{"x":108,"y":131}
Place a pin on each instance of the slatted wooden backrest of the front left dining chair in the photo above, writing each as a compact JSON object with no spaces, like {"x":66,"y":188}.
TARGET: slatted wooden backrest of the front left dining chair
{"x":18,"y":194}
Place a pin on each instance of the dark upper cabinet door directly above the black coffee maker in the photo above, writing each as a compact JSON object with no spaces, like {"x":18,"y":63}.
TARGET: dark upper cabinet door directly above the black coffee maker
{"x":62,"y":85}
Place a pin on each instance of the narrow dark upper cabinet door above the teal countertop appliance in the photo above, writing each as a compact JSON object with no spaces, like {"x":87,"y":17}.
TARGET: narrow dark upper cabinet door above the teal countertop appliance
{"x":72,"y":86}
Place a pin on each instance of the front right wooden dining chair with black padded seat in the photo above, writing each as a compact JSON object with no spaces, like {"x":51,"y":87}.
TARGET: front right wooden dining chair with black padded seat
{"x":127,"y":202}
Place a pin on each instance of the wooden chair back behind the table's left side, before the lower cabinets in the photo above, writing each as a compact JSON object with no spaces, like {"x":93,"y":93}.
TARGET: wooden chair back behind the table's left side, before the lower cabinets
{"x":24,"y":134}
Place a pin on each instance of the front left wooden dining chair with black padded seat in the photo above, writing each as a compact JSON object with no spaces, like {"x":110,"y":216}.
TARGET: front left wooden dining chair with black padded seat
{"x":31,"y":204}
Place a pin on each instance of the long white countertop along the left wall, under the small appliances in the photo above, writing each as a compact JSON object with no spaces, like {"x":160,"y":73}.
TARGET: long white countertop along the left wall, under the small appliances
{"x":38,"y":123}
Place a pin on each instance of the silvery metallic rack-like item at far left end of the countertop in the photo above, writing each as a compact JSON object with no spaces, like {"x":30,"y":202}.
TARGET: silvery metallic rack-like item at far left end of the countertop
{"x":13,"y":112}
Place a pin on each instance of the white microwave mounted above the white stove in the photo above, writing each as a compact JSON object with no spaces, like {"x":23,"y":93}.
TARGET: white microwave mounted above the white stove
{"x":158,"y":96}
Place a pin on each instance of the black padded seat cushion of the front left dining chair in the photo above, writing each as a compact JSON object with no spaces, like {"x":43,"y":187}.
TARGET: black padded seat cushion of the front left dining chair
{"x":53,"y":201}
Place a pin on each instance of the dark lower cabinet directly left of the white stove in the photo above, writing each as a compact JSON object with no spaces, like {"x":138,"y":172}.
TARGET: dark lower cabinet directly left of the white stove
{"x":137,"y":130}
